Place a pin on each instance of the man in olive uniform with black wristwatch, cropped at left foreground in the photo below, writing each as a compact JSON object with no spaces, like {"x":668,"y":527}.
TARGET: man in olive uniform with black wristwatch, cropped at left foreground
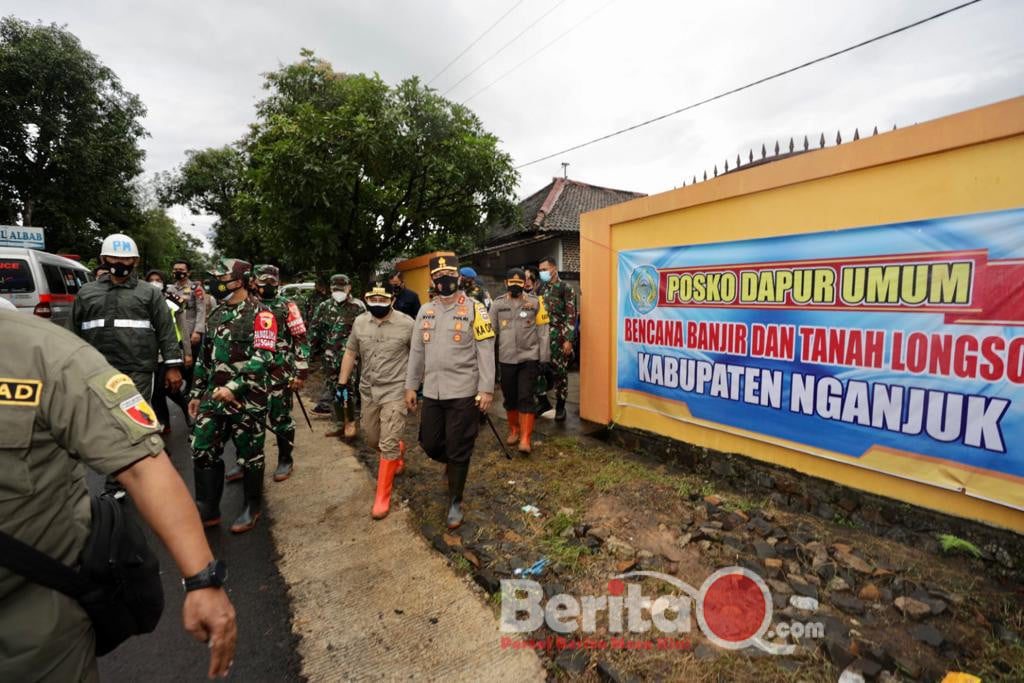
{"x":63,"y":406}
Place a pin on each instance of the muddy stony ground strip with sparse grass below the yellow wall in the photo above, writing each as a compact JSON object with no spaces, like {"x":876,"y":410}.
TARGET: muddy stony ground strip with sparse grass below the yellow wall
{"x":894,"y":610}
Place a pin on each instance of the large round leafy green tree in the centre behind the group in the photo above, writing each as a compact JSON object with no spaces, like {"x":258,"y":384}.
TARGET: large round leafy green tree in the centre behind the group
{"x":346,"y":173}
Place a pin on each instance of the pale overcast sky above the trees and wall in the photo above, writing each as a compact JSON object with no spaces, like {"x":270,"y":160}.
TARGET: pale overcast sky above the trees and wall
{"x":197,"y":66}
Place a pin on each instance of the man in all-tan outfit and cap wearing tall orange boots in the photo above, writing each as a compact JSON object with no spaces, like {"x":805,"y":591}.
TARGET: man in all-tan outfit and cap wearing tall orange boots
{"x":380,"y":343}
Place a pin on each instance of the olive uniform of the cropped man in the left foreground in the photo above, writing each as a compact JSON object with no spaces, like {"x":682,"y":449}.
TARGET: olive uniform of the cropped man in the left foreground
{"x":62,"y":407}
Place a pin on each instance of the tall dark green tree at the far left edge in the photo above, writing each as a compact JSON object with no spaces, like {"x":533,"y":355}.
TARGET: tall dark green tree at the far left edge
{"x":69,"y":139}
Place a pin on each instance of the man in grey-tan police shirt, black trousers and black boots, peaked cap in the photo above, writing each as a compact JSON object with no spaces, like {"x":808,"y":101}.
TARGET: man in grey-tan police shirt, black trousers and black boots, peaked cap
{"x":453,"y":355}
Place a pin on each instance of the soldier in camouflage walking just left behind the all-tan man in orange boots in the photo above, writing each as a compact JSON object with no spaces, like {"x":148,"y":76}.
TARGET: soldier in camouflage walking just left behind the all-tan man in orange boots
{"x":331,"y":327}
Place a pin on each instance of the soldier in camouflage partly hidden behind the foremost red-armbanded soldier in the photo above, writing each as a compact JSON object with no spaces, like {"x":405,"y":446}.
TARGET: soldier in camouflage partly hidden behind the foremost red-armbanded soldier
{"x":291,"y":360}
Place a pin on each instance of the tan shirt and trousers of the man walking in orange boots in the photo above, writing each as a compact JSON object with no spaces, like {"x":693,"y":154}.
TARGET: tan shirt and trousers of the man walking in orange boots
{"x":382,"y":347}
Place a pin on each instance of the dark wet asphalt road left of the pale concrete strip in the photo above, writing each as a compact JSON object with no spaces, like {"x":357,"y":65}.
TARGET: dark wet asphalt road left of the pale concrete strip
{"x":267,"y":650}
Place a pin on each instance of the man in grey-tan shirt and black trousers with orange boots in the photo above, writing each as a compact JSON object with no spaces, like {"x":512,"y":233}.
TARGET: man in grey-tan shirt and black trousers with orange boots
{"x":522,"y":324}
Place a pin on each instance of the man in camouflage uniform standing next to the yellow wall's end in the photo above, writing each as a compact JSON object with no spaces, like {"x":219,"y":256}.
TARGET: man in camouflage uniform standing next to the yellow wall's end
{"x":560,"y":300}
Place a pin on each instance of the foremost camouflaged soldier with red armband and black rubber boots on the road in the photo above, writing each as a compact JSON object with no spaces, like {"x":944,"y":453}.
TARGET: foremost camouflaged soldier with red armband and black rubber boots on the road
{"x":229,"y":398}
